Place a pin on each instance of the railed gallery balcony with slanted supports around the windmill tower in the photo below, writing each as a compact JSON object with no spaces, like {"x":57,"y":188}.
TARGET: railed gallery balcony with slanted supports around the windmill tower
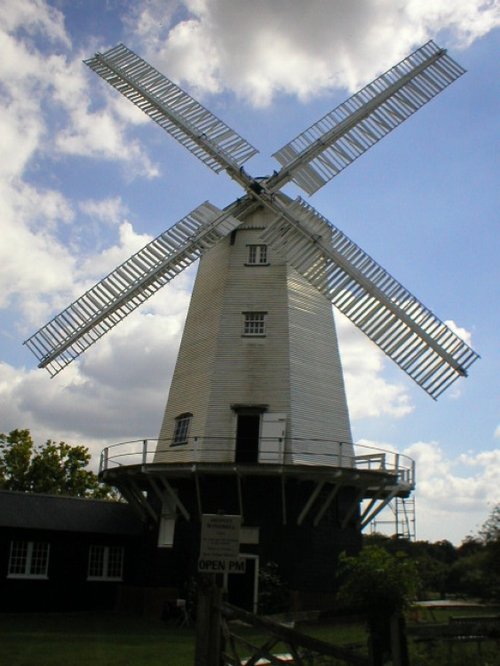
{"x":149,"y":474}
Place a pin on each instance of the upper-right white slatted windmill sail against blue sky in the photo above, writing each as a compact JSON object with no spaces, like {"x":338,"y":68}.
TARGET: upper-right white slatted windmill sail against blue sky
{"x":319,"y":153}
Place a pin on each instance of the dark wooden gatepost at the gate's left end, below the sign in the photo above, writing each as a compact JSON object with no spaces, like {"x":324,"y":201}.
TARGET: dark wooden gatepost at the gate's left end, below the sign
{"x":208,"y":625}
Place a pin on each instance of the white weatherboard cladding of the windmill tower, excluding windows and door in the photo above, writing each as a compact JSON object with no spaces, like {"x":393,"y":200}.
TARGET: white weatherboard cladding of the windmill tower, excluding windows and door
{"x":294,"y":369}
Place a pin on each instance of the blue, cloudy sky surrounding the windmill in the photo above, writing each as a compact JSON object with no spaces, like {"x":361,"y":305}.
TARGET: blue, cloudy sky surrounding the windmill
{"x":86,"y":179}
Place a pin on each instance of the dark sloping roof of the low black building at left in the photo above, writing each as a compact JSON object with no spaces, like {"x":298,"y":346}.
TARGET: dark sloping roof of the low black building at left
{"x":67,"y":514}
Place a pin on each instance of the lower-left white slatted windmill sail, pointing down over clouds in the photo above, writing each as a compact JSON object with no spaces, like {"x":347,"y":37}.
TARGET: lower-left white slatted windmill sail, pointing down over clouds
{"x":103,"y":306}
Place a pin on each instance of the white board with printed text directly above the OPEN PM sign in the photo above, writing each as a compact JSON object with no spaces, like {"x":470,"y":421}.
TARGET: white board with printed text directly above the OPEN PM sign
{"x":220,"y":537}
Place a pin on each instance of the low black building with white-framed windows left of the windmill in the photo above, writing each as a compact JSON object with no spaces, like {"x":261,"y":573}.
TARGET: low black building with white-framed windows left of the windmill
{"x":64,"y":553}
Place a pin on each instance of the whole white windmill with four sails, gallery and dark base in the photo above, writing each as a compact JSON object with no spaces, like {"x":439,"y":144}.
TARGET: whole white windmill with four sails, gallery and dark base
{"x":256,"y":422}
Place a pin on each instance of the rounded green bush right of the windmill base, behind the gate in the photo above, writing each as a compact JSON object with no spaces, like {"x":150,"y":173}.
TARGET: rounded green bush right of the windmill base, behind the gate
{"x":376,"y":582}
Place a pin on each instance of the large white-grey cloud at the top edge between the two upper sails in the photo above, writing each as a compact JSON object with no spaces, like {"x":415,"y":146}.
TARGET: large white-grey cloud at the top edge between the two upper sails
{"x":260,"y":49}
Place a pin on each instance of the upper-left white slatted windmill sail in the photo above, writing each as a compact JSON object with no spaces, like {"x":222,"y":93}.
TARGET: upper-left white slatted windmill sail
{"x":196,"y":128}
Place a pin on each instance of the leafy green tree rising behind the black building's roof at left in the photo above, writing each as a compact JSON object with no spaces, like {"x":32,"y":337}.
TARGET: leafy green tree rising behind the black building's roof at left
{"x":55,"y":468}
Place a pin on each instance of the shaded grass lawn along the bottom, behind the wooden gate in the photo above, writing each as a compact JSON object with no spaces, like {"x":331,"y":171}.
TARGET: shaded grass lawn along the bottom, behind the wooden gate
{"x":107,"y":639}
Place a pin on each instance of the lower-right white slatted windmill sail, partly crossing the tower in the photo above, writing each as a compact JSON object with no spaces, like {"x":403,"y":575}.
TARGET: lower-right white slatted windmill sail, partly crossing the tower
{"x":404,"y":329}
